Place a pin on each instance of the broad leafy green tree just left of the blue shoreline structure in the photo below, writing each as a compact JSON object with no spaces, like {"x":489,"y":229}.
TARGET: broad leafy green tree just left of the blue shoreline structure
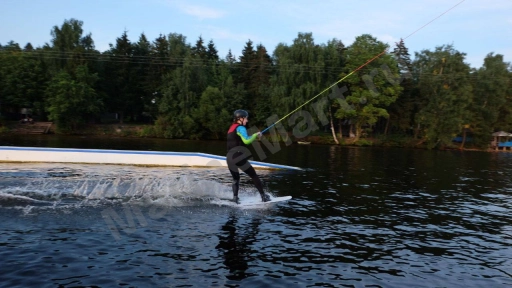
{"x":445,"y":83}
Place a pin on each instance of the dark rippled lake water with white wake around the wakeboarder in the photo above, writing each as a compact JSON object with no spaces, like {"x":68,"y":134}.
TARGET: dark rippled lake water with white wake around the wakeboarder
{"x":359,"y":217}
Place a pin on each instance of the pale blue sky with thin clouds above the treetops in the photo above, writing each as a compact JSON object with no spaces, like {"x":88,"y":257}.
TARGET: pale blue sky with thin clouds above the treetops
{"x":474,"y":27}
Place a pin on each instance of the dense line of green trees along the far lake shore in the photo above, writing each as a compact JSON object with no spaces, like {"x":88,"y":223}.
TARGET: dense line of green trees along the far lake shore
{"x":188,"y":91}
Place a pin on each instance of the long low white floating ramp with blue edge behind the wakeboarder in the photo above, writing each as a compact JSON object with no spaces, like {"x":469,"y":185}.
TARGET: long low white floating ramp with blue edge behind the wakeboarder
{"x":121,"y":157}
